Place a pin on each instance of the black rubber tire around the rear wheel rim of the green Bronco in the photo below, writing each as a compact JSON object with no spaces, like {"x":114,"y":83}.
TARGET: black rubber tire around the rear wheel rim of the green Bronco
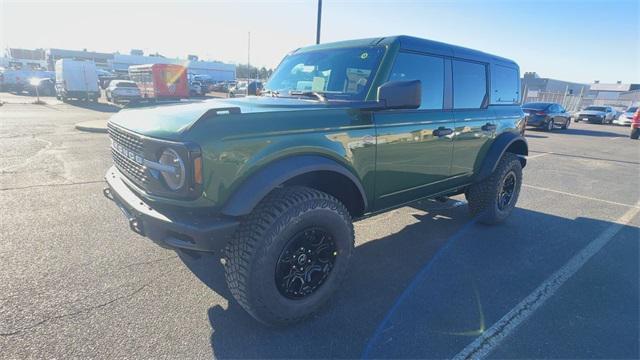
{"x":483,"y":196}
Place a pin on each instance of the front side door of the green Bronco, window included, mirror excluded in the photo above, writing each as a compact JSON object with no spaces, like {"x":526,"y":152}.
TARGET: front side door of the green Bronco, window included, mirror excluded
{"x":414,"y":147}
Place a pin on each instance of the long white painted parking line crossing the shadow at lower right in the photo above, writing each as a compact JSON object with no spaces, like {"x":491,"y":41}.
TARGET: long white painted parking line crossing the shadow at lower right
{"x":493,"y":336}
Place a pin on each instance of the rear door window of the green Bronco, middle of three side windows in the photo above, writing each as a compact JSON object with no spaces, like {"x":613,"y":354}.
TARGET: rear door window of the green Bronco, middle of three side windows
{"x":469,"y":85}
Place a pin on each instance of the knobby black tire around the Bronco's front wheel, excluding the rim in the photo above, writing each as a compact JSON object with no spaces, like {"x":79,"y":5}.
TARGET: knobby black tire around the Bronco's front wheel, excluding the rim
{"x":253,"y":253}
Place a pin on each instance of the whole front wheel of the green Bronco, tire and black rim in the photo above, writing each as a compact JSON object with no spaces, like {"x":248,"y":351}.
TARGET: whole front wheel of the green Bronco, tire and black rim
{"x":289,"y":255}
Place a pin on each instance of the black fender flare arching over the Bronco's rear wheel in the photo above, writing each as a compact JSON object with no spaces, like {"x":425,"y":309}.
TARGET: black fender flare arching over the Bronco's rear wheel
{"x":499,"y":146}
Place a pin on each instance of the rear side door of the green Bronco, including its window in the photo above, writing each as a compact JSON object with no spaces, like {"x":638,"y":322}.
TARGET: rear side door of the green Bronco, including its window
{"x":475,"y":124}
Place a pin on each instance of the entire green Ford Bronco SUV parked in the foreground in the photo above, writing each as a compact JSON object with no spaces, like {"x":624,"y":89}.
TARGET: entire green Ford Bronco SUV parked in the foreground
{"x":342,"y":131}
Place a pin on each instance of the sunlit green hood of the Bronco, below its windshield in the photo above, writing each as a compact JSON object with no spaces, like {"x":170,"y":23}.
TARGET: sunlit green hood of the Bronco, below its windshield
{"x":171,"y":120}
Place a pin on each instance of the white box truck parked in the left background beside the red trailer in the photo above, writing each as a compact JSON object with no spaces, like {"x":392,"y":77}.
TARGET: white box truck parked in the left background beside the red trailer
{"x":77,"y":79}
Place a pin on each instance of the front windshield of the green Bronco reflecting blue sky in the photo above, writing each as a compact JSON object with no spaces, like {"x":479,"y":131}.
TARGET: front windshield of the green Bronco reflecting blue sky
{"x":336,"y":73}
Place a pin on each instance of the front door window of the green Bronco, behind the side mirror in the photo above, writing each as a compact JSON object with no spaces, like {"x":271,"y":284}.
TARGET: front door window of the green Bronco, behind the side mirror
{"x":429,"y":70}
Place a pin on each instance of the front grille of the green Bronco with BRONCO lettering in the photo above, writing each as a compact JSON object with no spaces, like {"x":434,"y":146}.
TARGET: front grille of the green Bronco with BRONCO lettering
{"x":127,"y":154}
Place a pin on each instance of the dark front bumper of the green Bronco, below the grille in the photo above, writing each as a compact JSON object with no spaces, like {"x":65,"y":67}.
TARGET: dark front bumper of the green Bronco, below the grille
{"x":177,"y":229}
